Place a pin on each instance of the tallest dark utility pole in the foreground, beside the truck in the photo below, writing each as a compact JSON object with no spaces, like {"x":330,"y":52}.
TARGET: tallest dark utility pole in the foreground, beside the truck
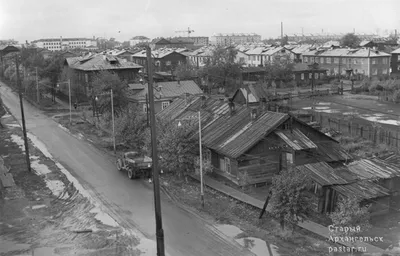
{"x":157,"y":203}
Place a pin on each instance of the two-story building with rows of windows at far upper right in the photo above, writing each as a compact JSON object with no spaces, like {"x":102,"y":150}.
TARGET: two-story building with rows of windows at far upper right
{"x":364,"y":61}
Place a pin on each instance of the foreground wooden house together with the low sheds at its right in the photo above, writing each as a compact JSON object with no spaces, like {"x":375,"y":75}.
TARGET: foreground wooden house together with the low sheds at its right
{"x":249,"y":145}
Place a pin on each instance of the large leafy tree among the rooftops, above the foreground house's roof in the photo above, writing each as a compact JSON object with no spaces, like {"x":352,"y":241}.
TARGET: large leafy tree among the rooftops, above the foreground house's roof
{"x":221,"y":69}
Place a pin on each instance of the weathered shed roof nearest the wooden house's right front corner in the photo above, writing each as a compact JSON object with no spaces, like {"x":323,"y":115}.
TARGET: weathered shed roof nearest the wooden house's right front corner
{"x":325,"y":175}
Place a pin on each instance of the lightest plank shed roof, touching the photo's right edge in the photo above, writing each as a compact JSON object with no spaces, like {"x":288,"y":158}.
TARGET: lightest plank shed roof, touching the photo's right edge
{"x":373,"y":169}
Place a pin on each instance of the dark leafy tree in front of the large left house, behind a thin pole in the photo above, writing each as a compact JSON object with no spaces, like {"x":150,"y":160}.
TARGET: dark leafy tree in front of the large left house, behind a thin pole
{"x":102,"y":83}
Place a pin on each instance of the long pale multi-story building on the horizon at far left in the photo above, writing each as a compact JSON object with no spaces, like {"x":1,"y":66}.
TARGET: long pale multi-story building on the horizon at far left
{"x":58,"y":44}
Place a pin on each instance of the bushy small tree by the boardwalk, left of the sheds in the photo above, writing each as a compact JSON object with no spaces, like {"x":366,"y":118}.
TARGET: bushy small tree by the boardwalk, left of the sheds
{"x":289,"y":198}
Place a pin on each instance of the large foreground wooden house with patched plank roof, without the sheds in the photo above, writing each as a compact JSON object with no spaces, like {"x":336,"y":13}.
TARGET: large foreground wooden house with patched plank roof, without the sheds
{"x":248,"y":146}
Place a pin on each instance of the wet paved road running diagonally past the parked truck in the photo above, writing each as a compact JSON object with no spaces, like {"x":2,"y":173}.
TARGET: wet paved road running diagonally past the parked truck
{"x":129,"y":202}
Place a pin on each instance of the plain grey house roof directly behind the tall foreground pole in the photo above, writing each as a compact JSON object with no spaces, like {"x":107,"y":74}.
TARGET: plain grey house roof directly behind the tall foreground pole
{"x":171,"y":89}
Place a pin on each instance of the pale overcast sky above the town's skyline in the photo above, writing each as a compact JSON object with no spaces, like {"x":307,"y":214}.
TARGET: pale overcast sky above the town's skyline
{"x":29,"y":20}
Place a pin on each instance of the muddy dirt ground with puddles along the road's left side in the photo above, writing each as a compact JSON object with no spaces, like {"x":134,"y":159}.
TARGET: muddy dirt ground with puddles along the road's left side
{"x":44,"y":214}
